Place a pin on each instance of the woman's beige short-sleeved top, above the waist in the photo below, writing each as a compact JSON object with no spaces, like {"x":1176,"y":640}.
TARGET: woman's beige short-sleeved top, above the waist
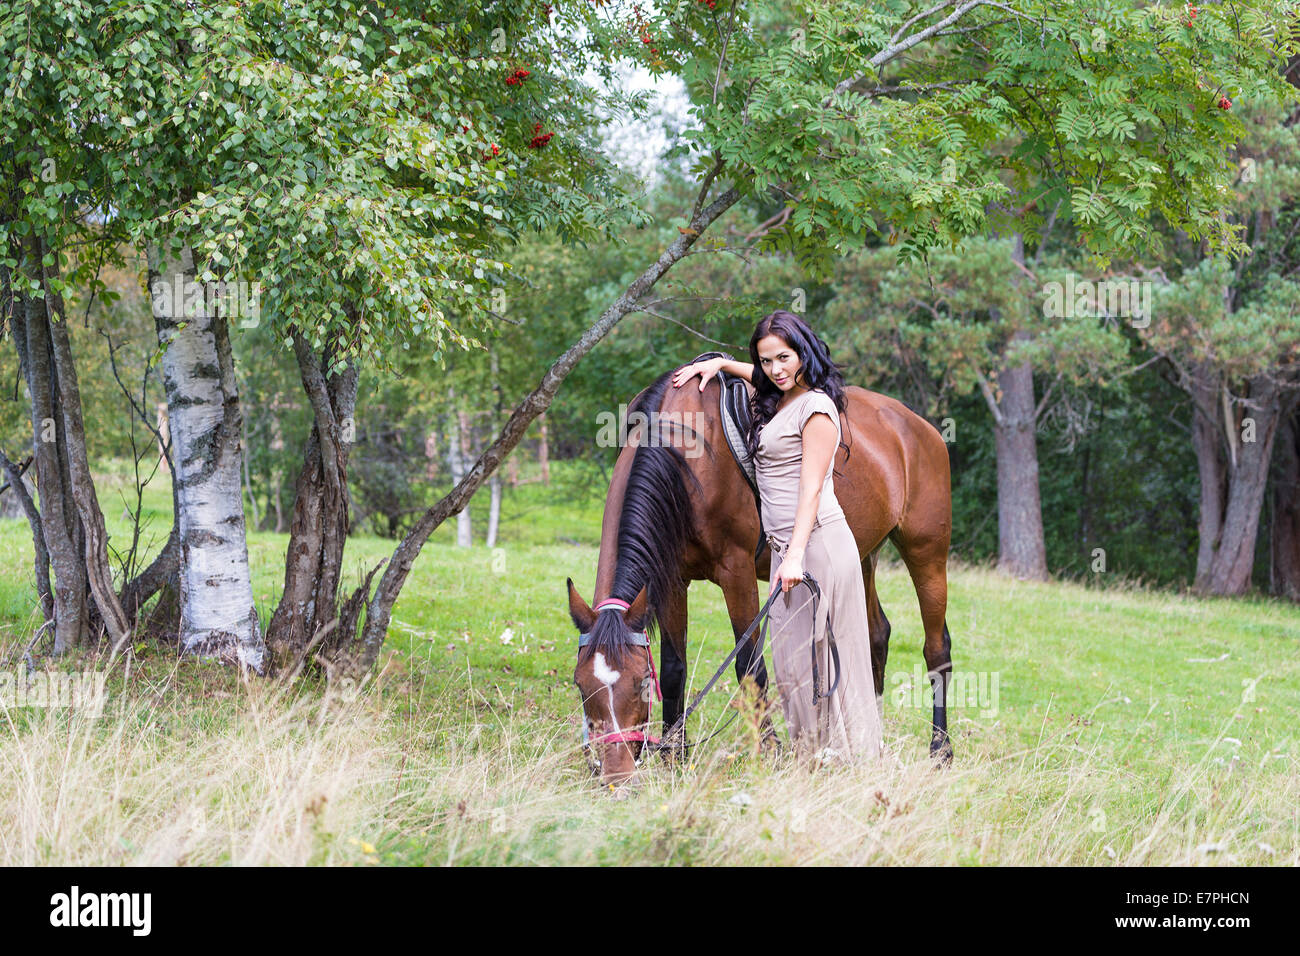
{"x":781,"y":458}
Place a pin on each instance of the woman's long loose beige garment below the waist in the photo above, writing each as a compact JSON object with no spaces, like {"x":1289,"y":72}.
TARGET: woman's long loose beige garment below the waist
{"x":850,"y":721}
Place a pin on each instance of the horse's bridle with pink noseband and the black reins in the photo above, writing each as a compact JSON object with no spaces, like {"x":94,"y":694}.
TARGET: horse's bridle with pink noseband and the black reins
{"x":643,"y":639}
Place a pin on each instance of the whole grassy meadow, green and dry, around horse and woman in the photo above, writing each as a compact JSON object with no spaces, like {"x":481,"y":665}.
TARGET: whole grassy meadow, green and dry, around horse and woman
{"x":1120,"y":734}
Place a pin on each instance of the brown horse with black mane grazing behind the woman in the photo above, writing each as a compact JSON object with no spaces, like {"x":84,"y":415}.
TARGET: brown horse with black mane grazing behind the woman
{"x":681,"y":509}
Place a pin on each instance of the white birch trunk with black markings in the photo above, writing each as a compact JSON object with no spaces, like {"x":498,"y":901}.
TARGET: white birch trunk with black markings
{"x":218,"y":613}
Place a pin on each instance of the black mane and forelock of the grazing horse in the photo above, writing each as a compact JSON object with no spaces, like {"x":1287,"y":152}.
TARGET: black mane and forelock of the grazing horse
{"x":653,"y":530}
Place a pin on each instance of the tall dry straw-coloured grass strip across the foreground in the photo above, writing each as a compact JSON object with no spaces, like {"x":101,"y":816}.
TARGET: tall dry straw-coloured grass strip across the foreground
{"x":180,"y":772}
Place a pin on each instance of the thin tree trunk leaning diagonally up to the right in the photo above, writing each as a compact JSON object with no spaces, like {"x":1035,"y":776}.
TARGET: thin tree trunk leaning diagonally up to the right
{"x":379,"y":609}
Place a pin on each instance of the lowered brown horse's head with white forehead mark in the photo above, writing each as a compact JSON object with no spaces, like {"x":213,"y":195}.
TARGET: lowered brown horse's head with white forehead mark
{"x":617,"y":678}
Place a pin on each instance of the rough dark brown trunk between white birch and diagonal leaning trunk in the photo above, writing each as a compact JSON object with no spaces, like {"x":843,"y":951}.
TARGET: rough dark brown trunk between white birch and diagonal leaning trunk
{"x":314,"y":565}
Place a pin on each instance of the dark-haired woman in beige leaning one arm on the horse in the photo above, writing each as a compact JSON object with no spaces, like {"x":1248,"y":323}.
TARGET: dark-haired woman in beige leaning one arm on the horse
{"x":796,"y":405}
